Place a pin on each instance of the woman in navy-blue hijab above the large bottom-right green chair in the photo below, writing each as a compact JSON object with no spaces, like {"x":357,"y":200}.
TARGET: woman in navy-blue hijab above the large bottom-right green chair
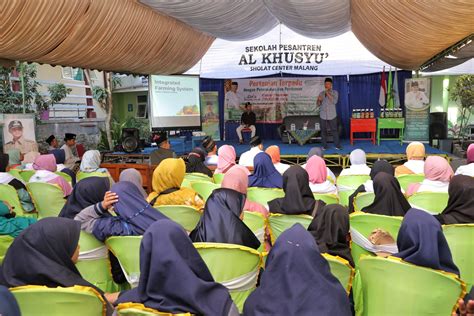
{"x":421,"y":242}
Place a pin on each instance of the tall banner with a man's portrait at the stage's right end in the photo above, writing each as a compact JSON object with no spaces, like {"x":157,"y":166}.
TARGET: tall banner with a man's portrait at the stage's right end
{"x":417,"y":109}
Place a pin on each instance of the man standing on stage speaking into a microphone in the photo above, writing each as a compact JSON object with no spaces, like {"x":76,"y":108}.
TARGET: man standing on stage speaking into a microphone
{"x":327,"y":101}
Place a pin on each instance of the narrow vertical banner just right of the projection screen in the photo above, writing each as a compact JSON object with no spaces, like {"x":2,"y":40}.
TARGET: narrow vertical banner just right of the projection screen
{"x":210,"y":114}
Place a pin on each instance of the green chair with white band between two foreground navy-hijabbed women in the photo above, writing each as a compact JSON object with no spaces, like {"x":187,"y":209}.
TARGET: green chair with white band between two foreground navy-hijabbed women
{"x":234,"y":266}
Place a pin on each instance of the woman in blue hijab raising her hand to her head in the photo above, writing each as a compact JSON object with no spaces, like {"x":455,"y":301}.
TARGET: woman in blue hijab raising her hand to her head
{"x":133,"y":214}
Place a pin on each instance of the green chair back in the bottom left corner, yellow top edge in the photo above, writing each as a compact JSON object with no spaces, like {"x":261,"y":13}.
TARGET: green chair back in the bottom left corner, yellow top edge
{"x":37,"y":300}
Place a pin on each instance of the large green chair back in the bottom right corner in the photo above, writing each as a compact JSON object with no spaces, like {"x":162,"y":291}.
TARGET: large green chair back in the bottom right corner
{"x":389,"y":286}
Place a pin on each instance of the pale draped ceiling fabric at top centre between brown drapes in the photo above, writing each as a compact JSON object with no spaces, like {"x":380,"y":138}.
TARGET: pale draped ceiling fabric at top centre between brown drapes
{"x":244,"y":20}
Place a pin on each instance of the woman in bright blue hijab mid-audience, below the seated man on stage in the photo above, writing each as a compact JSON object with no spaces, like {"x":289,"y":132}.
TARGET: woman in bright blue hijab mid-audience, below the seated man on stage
{"x":265,"y":174}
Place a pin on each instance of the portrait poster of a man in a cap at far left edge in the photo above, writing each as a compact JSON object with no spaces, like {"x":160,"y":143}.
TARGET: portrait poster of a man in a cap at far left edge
{"x":19,"y":132}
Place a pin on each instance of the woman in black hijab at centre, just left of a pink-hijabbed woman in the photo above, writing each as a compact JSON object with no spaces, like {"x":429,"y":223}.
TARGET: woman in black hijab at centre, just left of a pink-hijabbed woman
{"x":298,"y":196}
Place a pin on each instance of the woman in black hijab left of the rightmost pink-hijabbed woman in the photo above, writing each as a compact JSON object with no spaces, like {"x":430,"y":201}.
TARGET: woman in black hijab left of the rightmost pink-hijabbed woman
{"x":389,"y":199}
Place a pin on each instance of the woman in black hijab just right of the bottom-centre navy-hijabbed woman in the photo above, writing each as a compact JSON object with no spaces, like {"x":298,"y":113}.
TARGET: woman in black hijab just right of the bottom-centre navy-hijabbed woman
{"x":330,"y":229}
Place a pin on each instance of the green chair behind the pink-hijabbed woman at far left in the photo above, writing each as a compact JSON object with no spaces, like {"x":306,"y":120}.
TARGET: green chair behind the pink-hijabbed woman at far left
{"x":47,"y":198}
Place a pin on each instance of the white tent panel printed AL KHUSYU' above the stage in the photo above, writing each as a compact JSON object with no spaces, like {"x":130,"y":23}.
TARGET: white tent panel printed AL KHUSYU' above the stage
{"x":345,"y":56}
